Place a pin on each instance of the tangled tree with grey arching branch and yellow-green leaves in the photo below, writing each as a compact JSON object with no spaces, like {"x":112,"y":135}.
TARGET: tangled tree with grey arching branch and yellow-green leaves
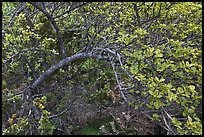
{"x":152,"y":47}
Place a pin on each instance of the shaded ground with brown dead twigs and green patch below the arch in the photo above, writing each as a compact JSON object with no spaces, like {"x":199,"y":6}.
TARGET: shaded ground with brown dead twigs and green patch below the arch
{"x":99,"y":118}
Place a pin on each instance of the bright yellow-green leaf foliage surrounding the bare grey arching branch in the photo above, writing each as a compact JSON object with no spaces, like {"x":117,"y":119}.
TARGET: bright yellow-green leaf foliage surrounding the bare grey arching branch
{"x":160,"y":44}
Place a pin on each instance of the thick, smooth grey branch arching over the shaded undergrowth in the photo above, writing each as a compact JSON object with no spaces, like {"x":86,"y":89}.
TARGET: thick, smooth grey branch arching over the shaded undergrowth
{"x":61,"y":64}
